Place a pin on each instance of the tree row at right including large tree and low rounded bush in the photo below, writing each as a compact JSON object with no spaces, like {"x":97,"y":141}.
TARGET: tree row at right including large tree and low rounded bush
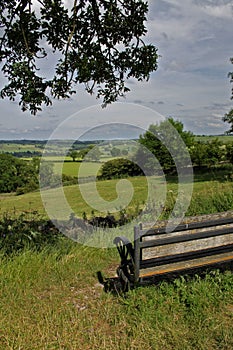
{"x":153,"y":151}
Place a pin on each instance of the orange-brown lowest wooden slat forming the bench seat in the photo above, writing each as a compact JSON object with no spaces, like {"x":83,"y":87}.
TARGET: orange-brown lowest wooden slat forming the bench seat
{"x":188,"y":265}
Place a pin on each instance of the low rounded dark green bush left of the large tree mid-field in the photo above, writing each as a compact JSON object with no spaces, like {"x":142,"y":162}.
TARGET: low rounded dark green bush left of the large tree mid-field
{"x":119,"y":168}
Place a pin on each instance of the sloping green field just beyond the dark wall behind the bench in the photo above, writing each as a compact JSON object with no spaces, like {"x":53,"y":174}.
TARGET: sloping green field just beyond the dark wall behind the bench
{"x":208,"y":196}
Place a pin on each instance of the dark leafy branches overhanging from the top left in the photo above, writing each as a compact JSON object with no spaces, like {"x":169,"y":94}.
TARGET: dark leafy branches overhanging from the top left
{"x":97,"y":43}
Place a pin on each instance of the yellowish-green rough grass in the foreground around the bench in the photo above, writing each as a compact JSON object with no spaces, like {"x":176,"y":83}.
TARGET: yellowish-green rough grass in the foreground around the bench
{"x":51,"y":300}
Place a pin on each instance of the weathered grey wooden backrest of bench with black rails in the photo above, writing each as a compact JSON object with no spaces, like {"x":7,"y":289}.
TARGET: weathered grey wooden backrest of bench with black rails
{"x":188,"y":239}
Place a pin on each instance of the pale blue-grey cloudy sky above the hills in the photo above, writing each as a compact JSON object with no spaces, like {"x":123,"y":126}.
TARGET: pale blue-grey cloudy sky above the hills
{"x":194,"y":41}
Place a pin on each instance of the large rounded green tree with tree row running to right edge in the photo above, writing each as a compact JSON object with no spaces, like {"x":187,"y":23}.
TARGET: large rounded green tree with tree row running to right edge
{"x":202,"y":154}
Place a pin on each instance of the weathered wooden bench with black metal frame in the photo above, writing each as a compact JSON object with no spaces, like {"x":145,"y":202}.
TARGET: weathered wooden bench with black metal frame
{"x":196,"y":243}
